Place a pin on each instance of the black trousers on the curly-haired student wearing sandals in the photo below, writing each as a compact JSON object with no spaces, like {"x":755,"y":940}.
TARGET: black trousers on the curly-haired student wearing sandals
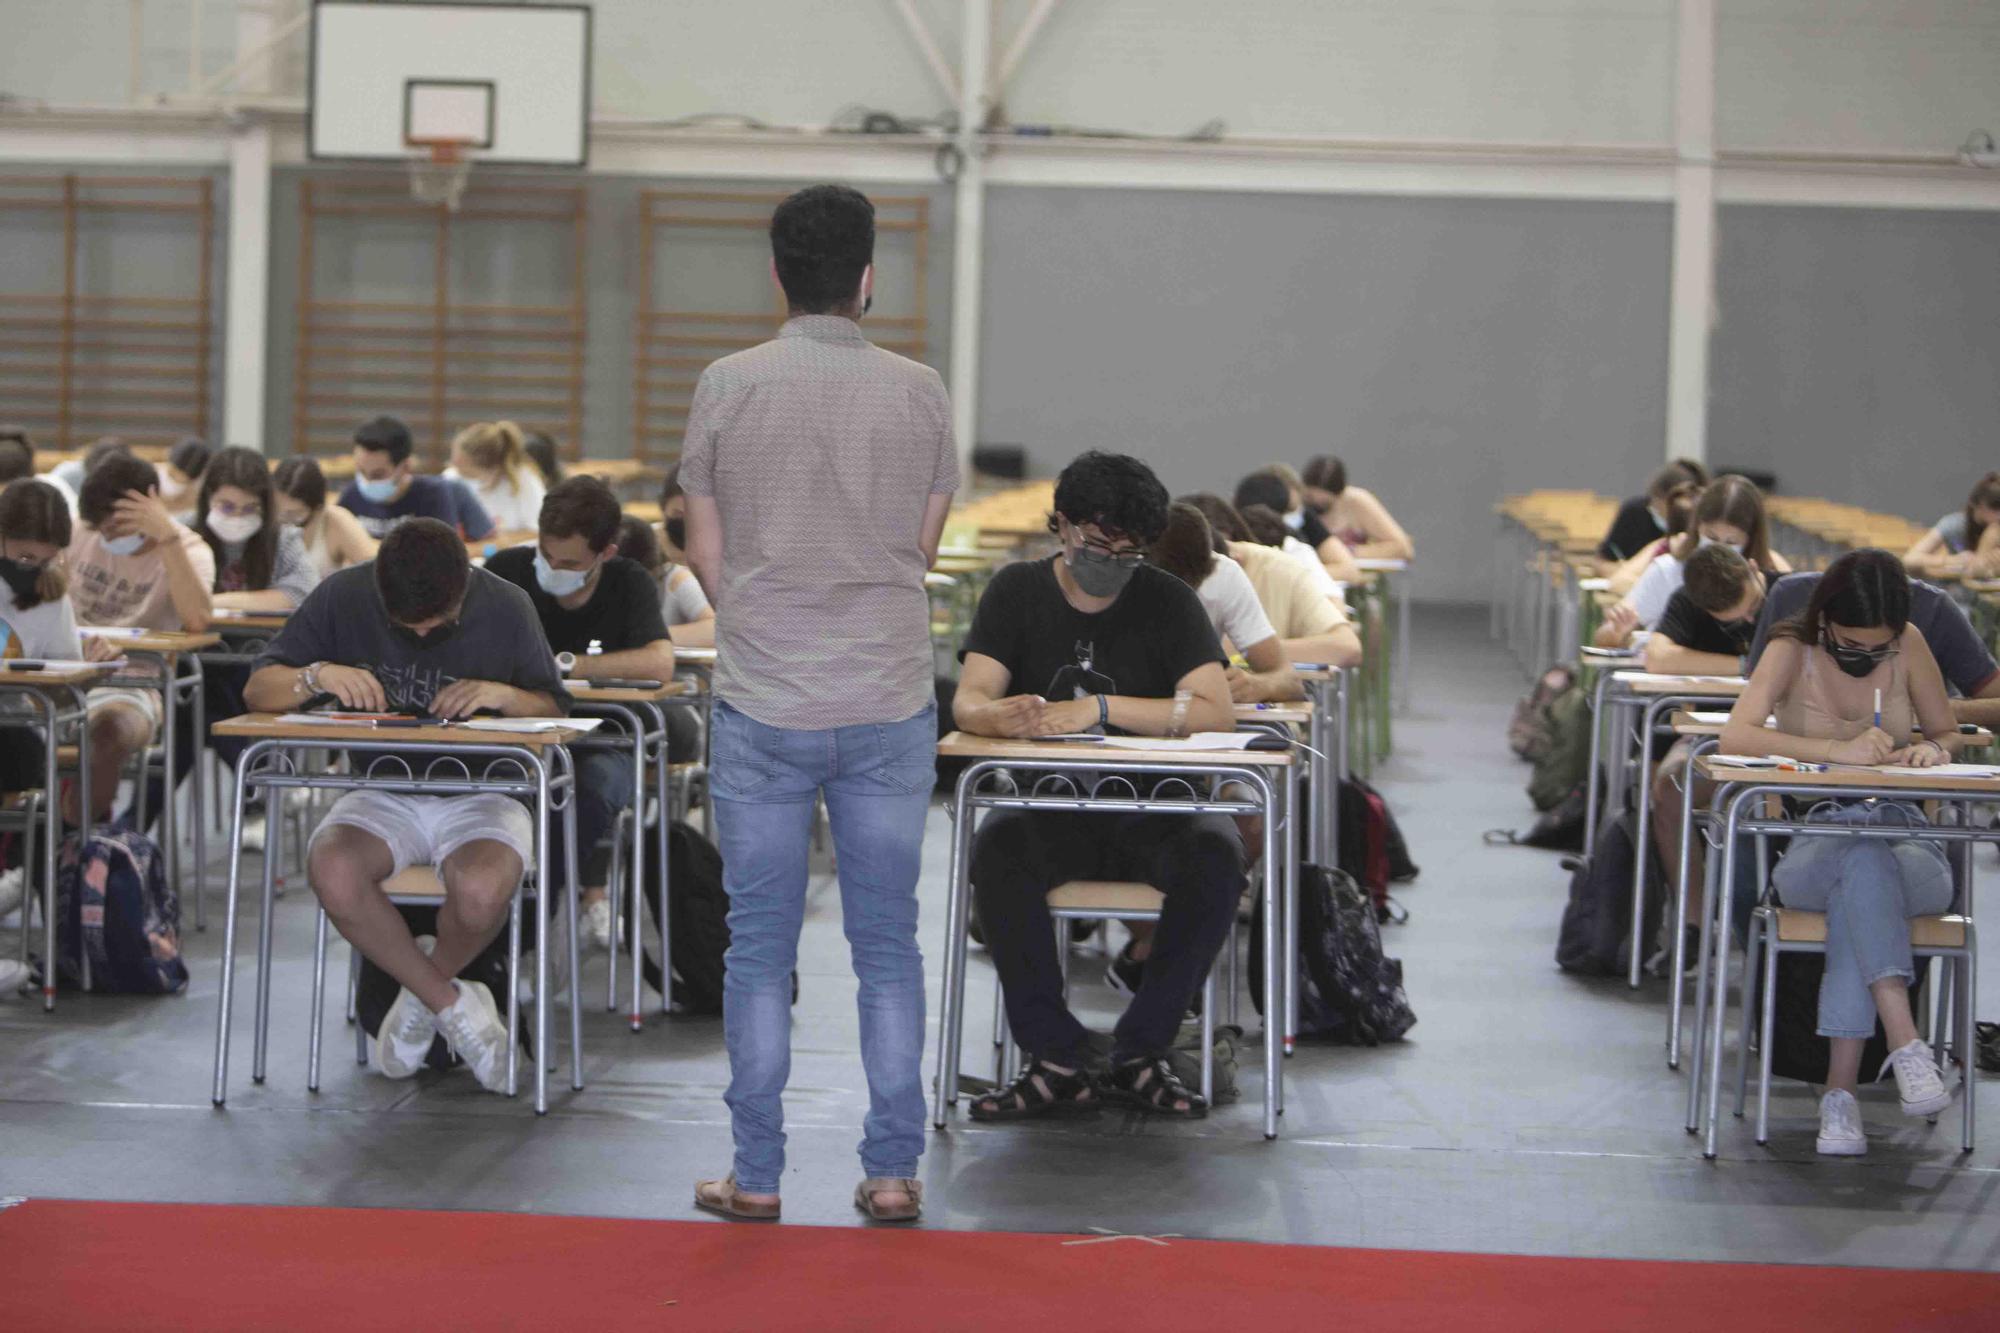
{"x":1019,"y":856}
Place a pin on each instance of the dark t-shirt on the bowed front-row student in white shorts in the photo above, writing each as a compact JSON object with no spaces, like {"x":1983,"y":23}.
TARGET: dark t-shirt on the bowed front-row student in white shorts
{"x":499,"y":639}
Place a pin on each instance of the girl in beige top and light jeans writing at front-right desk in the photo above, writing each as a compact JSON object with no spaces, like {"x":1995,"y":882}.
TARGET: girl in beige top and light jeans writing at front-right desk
{"x":1825,"y":678}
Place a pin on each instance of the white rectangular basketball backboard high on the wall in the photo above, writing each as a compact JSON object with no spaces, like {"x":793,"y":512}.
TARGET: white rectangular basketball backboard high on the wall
{"x":507,"y":83}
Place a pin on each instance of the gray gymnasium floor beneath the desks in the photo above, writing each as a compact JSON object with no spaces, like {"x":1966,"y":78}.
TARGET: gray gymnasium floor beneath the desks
{"x":1527,"y":1114}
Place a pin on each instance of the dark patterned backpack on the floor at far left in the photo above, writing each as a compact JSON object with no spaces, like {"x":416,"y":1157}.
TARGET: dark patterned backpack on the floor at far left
{"x":117,"y":918}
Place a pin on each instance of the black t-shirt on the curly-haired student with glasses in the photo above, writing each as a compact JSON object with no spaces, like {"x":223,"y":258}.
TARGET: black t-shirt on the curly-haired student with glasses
{"x":1139,"y":647}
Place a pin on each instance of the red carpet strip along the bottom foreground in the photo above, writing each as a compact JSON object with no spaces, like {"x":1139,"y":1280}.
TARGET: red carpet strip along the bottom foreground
{"x":137,"y":1266}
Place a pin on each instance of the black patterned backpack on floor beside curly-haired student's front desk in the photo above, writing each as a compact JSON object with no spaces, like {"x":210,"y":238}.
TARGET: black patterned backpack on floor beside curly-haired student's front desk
{"x":1349,"y":992}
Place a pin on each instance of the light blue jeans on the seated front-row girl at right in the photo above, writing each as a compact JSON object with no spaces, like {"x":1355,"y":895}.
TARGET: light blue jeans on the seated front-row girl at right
{"x":1869,"y":892}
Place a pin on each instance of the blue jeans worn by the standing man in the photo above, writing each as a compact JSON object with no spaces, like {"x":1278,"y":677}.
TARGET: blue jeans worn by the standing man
{"x":877,"y":782}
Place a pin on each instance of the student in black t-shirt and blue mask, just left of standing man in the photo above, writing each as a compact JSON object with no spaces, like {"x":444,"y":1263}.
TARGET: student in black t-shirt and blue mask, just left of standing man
{"x":589,"y":595}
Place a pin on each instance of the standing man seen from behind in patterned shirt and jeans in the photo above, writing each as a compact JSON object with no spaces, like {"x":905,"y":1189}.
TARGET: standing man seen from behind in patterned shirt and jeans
{"x":819,"y":471}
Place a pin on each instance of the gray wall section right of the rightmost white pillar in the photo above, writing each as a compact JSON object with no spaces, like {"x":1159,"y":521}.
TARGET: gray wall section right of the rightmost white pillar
{"x":1859,"y":353}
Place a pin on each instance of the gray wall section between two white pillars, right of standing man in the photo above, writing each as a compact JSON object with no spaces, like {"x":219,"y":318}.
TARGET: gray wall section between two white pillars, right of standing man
{"x":1453,"y":351}
